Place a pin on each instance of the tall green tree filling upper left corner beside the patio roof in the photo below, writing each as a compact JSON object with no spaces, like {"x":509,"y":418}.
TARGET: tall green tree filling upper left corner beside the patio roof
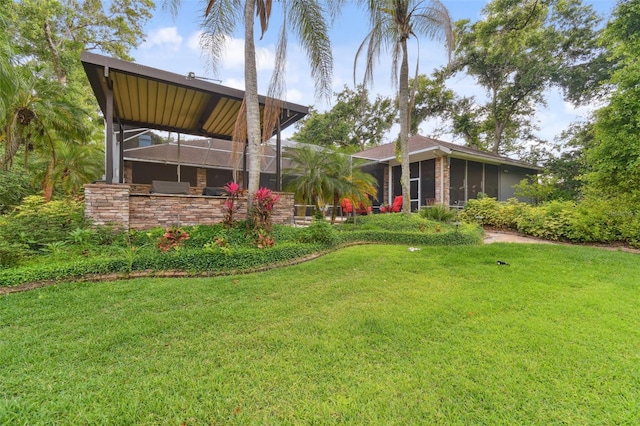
{"x":46,"y":107}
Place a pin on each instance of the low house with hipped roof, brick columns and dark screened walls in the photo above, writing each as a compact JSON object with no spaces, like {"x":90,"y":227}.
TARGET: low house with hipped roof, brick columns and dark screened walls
{"x":445,"y":173}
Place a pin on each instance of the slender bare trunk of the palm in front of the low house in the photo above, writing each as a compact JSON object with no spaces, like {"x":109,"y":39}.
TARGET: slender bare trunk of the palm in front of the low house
{"x":403,"y":140}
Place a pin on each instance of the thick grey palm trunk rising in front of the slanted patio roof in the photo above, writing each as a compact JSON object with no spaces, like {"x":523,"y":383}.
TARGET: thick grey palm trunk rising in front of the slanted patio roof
{"x":252,"y":102}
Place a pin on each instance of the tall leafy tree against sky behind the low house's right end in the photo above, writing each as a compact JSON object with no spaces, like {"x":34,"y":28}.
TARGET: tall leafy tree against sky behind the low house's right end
{"x":516,"y":52}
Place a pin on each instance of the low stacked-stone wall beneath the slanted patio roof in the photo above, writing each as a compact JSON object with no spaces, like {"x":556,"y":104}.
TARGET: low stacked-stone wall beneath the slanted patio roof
{"x":114,"y":204}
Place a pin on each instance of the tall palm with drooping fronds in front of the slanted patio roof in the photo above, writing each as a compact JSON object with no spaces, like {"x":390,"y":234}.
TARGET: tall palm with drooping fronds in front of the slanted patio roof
{"x":307,"y":20}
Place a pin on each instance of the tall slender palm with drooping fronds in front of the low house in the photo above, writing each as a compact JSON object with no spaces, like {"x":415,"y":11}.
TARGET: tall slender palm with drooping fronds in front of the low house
{"x":393,"y":23}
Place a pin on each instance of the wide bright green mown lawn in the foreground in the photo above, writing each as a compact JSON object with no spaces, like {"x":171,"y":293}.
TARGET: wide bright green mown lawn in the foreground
{"x":371,"y":334}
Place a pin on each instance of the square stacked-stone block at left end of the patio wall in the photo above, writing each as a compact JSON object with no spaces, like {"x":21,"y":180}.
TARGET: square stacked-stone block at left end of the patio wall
{"x":107,"y":204}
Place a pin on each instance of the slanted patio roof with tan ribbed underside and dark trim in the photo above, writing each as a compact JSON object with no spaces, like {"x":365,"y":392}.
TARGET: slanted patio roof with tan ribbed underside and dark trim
{"x":152,"y":98}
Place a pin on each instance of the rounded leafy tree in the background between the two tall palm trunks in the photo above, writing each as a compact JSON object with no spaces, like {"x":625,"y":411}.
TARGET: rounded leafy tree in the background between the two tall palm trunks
{"x":353,"y":123}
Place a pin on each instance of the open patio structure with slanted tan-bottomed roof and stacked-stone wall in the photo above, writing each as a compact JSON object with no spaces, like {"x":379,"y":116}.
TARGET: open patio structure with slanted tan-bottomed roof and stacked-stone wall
{"x":133,"y":96}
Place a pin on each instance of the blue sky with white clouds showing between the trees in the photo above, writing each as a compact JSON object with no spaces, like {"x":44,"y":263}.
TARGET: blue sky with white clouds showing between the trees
{"x":172,"y":44}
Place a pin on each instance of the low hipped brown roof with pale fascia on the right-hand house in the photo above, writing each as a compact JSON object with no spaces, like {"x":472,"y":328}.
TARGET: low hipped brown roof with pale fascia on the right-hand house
{"x":424,"y":145}
